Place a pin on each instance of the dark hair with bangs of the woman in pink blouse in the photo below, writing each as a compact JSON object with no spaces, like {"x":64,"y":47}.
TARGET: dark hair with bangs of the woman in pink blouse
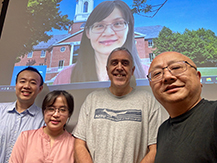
{"x":51,"y":97}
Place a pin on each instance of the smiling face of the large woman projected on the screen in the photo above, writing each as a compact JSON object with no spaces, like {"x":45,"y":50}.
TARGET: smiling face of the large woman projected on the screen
{"x":109,"y":39}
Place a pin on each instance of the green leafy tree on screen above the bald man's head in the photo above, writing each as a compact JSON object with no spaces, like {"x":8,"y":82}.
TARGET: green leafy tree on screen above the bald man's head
{"x":199,"y":45}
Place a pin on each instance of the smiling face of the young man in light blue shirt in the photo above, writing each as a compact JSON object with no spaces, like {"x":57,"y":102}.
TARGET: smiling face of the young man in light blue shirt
{"x":27,"y":87}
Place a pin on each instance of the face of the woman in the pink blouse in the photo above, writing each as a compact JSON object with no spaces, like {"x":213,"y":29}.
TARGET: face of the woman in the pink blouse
{"x":56,"y":121}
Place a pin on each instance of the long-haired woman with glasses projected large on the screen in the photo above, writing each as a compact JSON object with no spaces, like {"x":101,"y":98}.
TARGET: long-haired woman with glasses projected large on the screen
{"x":110,"y":25}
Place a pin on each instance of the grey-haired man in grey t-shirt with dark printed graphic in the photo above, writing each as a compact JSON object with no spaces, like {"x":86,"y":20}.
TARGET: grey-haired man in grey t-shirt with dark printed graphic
{"x":118,"y":124}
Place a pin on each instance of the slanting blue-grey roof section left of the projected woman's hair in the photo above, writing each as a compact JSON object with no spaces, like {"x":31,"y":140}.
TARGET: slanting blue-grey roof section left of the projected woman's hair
{"x":53,"y":40}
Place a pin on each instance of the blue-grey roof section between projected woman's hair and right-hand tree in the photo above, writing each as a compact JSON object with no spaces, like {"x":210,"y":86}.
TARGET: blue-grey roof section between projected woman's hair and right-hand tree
{"x":149,"y":31}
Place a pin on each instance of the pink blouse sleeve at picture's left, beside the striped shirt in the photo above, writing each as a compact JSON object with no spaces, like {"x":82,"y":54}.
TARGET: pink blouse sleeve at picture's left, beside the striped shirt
{"x":18,"y":151}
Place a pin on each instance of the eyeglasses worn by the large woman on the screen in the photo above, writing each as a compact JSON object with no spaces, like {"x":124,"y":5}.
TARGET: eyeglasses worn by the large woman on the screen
{"x":118,"y":25}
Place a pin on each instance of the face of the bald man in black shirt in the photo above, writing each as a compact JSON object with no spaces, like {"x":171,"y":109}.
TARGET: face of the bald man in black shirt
{"x":171,"y":89}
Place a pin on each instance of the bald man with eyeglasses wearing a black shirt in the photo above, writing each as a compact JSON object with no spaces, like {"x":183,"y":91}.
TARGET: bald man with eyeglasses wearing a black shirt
{"x":190,"y":133}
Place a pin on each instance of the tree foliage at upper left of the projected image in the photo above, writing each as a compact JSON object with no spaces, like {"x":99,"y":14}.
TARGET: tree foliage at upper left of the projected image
{"x":42,"y":16}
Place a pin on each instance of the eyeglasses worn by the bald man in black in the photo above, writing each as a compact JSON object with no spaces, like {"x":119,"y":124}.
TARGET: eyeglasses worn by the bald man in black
{"x":175,"y":69}
